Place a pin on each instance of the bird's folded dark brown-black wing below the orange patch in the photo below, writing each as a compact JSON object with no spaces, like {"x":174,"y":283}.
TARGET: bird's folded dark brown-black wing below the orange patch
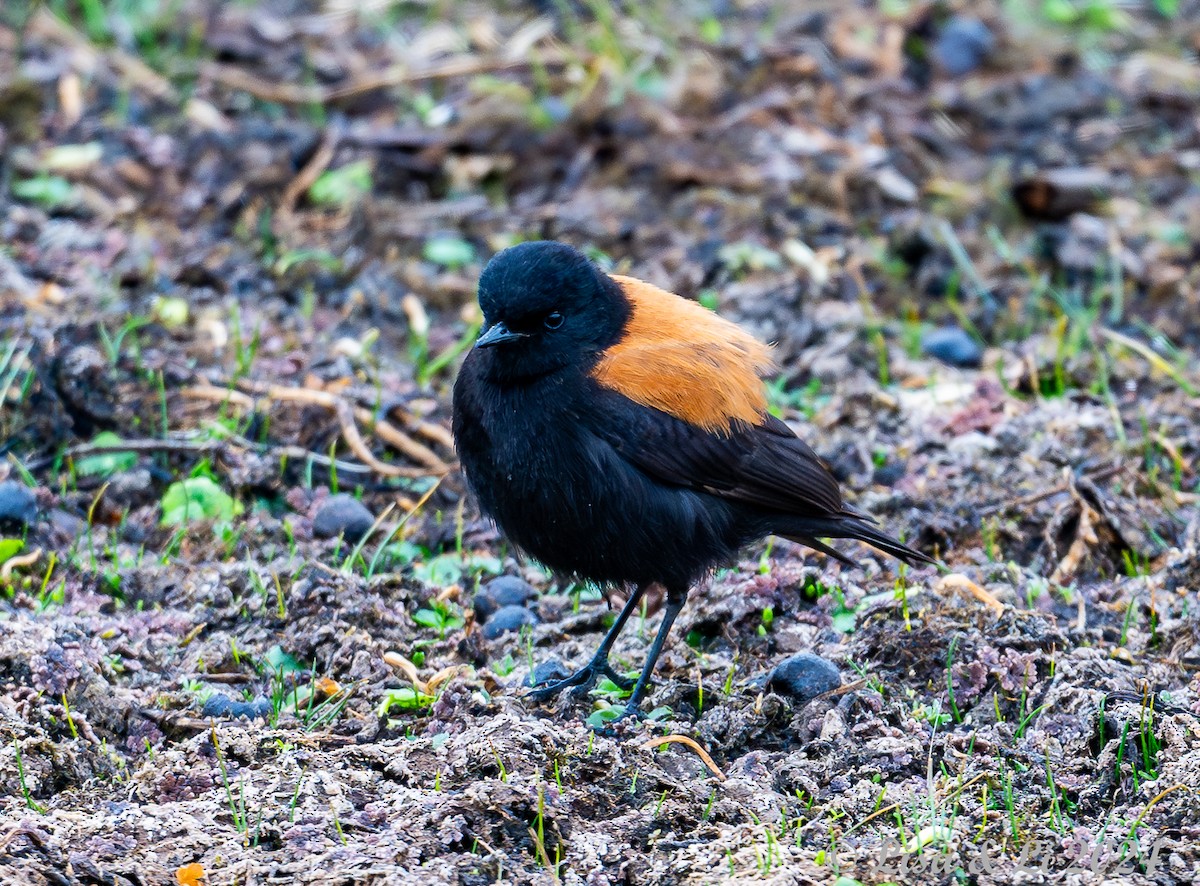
{"x":764,"y":465}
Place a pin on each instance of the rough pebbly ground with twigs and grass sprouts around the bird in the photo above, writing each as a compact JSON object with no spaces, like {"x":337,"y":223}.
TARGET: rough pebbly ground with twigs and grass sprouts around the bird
{"x":238,"y":258}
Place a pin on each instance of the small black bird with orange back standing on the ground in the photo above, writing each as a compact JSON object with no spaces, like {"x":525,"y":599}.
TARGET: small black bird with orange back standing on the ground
{"x":619,"y":433}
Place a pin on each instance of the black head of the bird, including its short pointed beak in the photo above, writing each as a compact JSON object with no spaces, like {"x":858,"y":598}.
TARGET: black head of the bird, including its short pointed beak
{"x":545,"y":308}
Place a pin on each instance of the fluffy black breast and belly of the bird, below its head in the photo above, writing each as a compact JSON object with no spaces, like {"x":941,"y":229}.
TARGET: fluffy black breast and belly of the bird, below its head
{"x":569,"y":499}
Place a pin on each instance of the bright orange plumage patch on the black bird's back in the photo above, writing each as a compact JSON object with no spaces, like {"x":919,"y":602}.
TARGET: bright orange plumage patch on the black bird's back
{"x":687,"y":362}
